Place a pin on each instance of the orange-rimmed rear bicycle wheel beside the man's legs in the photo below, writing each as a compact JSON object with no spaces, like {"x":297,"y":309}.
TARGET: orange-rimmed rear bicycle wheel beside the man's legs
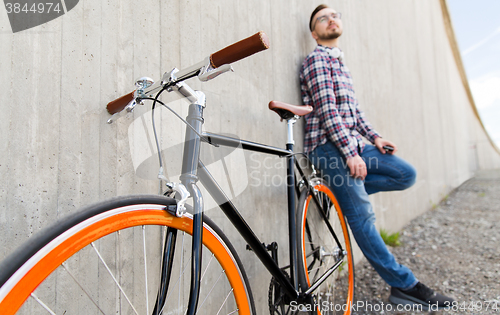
{"x":319,"y":251}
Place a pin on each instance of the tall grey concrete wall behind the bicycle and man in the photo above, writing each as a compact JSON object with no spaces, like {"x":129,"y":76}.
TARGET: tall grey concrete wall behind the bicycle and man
{"x":57,"y":153}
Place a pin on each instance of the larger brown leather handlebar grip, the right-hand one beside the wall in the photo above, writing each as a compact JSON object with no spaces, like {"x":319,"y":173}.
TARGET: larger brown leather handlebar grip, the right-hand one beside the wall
{"x":240,"y":50}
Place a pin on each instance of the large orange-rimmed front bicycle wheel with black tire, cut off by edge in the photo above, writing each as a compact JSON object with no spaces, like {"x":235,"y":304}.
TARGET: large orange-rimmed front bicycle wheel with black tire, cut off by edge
{"x":107,"y":260}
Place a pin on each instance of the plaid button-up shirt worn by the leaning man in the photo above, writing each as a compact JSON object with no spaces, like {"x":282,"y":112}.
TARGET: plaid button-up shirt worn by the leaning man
{"x":326,"y":84}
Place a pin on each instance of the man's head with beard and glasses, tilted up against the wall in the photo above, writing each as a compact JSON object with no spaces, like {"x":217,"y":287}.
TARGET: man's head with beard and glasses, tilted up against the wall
{"x":325,"y":24}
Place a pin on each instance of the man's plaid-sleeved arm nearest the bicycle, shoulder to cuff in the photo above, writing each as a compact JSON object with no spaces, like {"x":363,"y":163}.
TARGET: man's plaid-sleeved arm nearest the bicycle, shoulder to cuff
{"x":318,"y":78}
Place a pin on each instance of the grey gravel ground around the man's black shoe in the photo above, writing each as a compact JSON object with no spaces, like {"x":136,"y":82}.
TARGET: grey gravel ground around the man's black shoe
{"x":453,"y":249}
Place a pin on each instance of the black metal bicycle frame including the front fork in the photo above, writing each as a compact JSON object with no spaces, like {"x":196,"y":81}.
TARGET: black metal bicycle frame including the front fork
{"x":193,"y":170}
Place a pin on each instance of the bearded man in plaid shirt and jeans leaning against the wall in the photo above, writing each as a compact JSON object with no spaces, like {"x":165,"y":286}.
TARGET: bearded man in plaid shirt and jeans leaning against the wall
{"x":354,"y":169}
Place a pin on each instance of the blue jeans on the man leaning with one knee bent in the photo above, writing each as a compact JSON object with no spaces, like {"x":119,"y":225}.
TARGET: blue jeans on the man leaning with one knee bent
{"x":386,"y":172}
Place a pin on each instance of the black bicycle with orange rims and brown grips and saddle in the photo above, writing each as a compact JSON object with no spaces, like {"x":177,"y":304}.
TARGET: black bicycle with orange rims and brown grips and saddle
{"x":175,"y":275}
